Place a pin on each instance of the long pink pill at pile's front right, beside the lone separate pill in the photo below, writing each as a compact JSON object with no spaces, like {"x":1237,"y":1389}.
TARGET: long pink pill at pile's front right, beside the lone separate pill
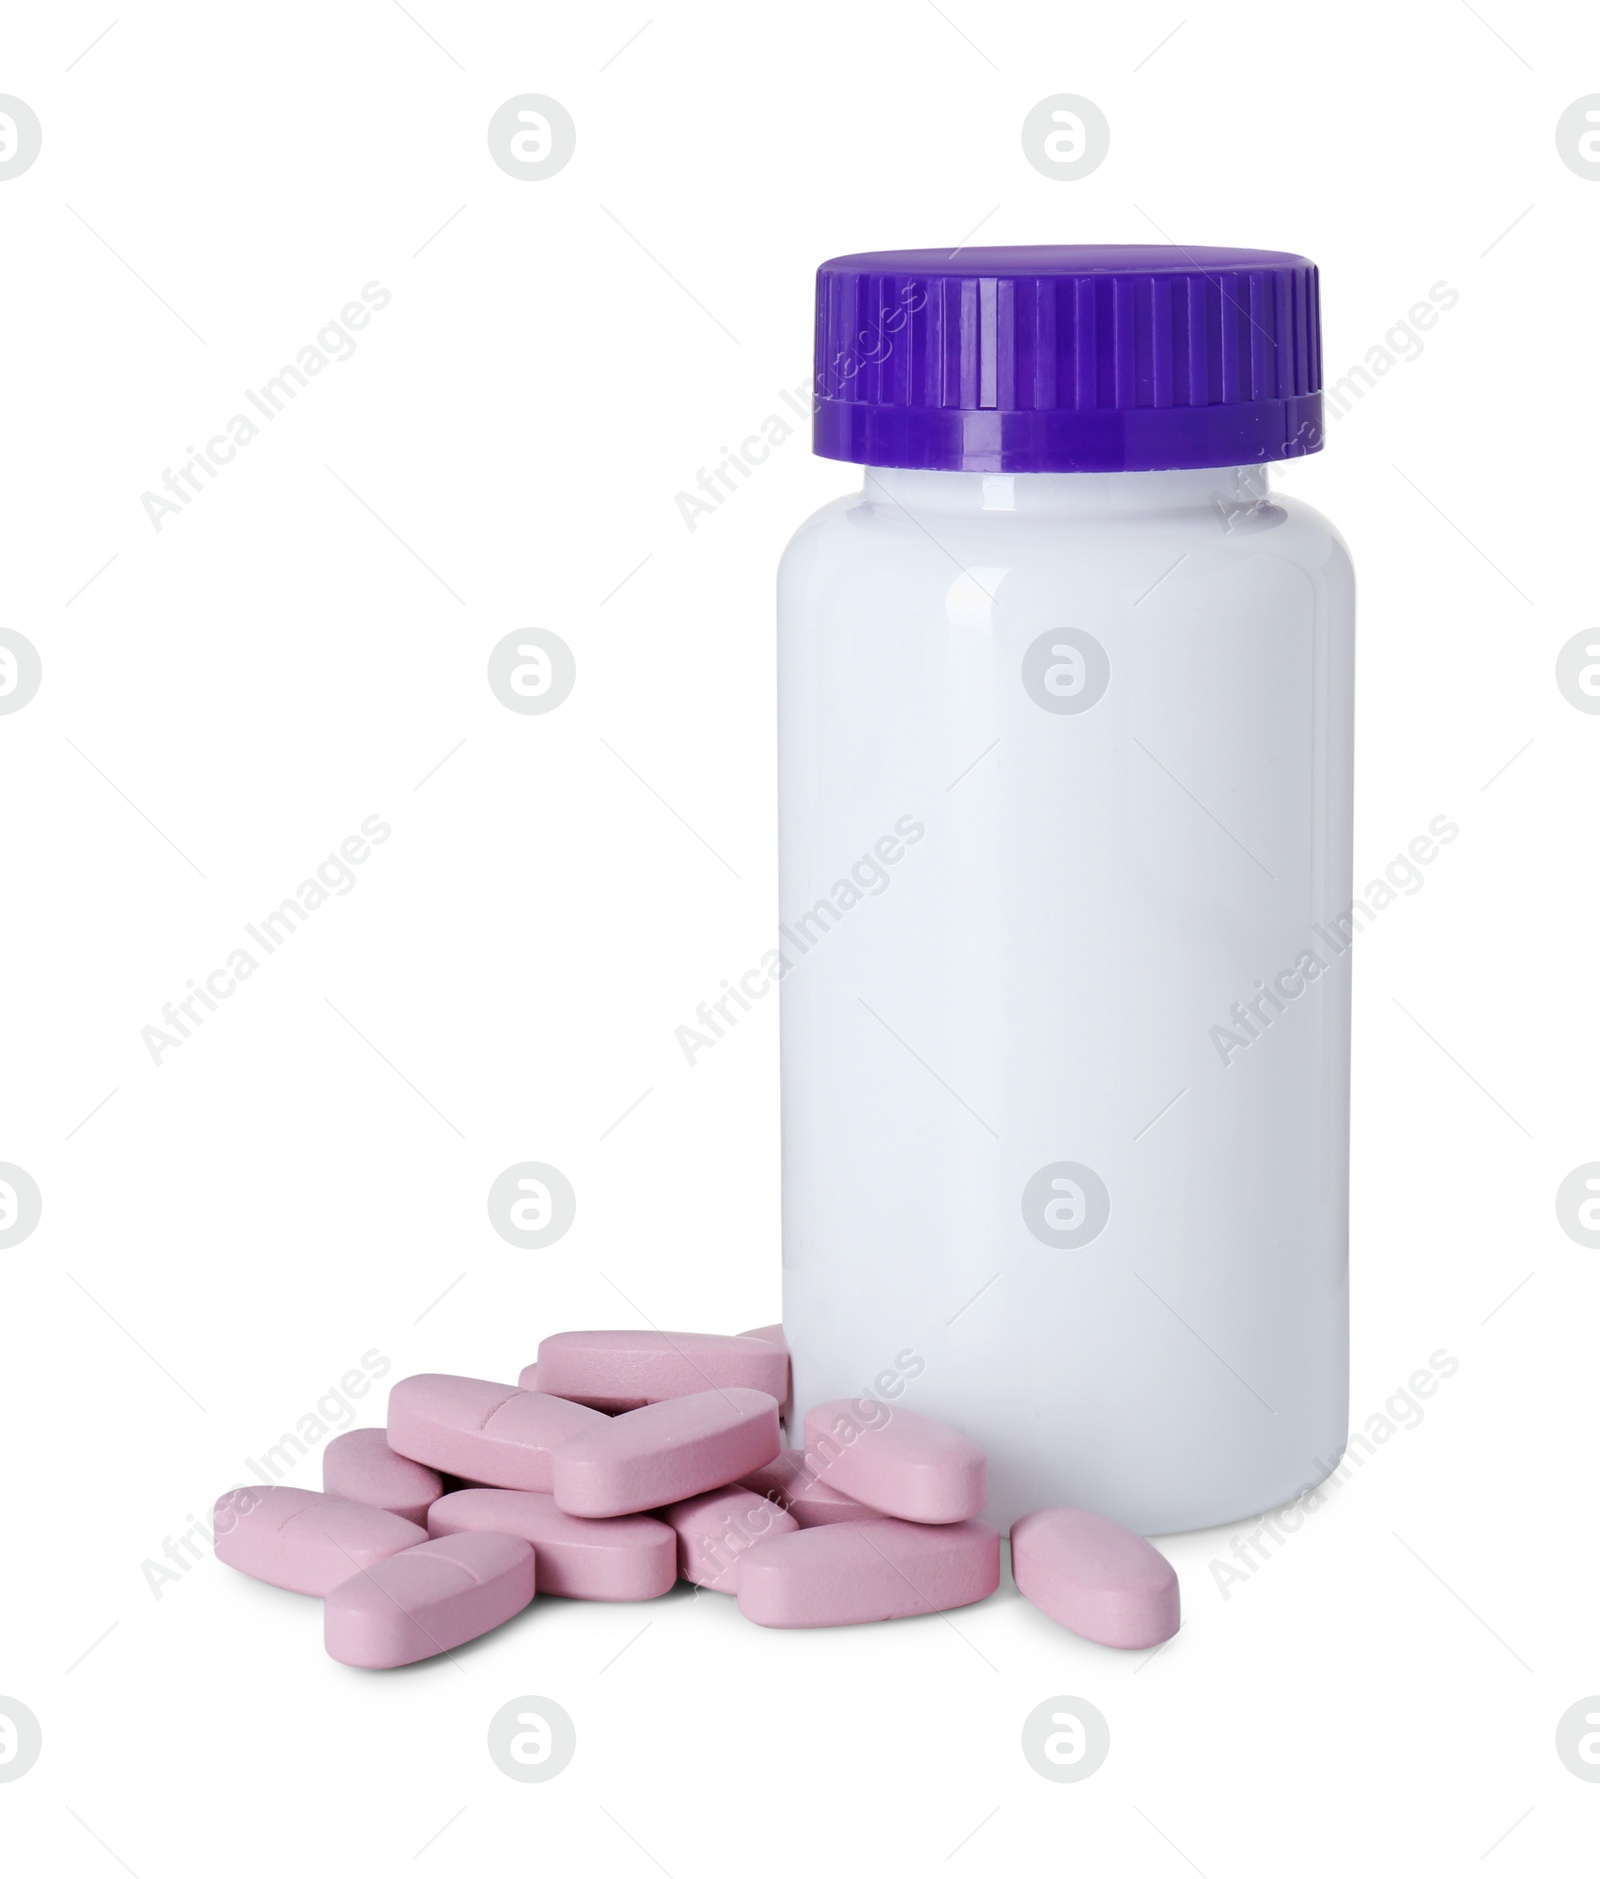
{"x":867,"y":1570}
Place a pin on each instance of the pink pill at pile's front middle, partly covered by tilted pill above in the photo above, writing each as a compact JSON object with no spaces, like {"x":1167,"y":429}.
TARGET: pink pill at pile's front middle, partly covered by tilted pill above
{"x":626,"y":1559}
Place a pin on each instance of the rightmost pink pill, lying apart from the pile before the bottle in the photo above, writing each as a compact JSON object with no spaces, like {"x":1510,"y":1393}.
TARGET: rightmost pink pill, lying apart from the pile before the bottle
{"x":1094,"y":1577}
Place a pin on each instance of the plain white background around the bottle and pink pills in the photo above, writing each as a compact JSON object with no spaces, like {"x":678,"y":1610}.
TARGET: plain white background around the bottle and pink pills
{"x":303,"y":1181}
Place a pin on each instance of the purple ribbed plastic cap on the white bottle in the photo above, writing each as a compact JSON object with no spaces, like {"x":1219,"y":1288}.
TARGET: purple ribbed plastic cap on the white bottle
{"x":1120,"y":358}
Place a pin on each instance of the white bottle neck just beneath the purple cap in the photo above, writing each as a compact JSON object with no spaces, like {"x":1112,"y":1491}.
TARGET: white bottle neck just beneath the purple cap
{"x":1090,"y":495}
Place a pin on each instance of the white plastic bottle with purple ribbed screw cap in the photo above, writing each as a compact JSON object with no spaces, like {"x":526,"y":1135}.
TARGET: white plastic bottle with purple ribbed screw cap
{"x":1066,"y":726}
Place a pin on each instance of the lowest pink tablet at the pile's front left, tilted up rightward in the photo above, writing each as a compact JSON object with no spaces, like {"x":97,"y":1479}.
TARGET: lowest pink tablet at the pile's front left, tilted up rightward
{"x":429,"y":1600}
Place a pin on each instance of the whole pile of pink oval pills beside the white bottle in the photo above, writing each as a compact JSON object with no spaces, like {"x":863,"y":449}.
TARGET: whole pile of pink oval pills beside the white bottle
{"x":624,"y":1461}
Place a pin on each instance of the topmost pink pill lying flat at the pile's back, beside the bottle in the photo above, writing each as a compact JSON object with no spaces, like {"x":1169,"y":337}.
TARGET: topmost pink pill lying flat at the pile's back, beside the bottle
{"x":626,"y":1369}
